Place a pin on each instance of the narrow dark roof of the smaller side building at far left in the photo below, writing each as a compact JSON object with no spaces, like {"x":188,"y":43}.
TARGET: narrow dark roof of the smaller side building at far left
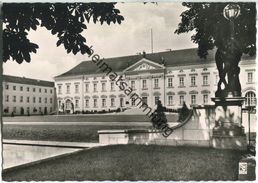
{"x":27,"y":81}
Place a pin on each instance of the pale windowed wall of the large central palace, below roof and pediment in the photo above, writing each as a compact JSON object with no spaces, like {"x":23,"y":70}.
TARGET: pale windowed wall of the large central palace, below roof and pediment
{"x":191,"y":94}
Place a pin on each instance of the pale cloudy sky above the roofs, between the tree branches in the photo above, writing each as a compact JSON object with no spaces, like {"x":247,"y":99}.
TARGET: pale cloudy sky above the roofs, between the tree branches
{"x":130,"y":37}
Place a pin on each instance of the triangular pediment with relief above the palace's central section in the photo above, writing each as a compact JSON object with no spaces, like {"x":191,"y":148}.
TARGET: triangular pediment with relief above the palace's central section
{"x":144,"y":64}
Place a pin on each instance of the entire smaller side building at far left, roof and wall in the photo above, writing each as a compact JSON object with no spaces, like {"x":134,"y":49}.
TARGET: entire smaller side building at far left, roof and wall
{"x":25,"y":96}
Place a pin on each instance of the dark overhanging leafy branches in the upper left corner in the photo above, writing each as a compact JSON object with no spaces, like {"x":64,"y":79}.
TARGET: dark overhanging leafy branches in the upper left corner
{"x":65,"y":20}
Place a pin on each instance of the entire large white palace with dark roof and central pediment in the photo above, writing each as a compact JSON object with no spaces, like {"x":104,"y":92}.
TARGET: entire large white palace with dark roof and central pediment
{"x":172,"y":77}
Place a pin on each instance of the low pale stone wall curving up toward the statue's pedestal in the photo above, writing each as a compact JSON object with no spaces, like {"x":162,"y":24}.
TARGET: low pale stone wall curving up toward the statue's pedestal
{"x":196,"y":131}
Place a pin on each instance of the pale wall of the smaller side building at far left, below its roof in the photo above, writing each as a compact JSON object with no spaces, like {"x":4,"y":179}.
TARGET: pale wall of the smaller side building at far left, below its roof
{"x":16,"y":99}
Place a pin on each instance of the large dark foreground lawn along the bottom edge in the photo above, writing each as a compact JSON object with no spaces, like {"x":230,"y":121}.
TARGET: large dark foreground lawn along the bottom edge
{"x":134,"y":162}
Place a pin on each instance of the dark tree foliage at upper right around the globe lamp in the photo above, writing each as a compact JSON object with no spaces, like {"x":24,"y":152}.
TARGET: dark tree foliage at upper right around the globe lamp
{"x":212,"y":28}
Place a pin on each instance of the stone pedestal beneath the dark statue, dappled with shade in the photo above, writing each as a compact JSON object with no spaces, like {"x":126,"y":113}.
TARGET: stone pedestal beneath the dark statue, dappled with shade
{"x":228,"y":132}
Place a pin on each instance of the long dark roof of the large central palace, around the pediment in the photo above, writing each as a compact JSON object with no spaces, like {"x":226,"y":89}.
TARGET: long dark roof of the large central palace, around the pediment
{"x":174,"y":58}
